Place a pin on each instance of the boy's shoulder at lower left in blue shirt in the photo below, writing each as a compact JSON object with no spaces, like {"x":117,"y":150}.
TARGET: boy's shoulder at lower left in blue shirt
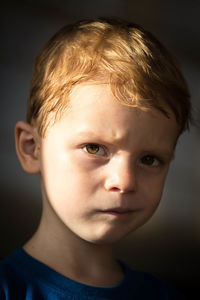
{"x":23,"y":277}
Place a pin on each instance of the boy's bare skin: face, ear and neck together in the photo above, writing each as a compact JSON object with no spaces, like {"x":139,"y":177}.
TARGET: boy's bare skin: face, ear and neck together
{"x":103,"y":168}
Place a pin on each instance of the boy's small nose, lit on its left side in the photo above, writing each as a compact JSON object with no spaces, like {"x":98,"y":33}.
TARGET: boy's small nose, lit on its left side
{"x":121,"y":176}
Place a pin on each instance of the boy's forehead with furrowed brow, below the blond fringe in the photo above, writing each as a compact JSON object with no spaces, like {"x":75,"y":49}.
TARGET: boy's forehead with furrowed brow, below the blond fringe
{"x":94,"y":112}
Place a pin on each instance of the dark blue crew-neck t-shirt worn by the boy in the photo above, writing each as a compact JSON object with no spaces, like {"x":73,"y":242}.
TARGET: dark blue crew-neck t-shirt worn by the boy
{"x":24,"y":278}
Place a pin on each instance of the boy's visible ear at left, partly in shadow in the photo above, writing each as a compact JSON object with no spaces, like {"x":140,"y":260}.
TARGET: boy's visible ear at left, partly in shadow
{"x":27,"y":147}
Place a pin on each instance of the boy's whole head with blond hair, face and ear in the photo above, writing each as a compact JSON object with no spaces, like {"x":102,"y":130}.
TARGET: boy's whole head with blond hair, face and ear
{"x":102,"y":162}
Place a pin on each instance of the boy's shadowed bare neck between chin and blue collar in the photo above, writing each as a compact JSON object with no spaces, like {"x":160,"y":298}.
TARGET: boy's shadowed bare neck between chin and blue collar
{"x":73,"y":257}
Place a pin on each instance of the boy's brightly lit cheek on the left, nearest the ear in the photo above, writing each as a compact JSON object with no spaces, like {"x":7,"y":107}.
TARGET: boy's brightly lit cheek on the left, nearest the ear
{"x":65,"y":177}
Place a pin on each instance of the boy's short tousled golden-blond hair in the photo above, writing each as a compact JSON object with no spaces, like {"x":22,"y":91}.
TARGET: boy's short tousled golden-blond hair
{"x":138,"y":68}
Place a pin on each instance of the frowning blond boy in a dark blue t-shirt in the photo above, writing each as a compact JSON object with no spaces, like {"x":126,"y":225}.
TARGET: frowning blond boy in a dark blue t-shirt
{"x":106,"y":107}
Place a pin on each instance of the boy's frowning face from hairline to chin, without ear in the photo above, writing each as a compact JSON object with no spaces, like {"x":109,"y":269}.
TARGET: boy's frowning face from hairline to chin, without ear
{"x":103,"y":165}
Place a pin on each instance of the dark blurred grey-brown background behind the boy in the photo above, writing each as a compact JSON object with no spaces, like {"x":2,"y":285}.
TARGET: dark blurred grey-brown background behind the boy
{"x":169,"y":244}
